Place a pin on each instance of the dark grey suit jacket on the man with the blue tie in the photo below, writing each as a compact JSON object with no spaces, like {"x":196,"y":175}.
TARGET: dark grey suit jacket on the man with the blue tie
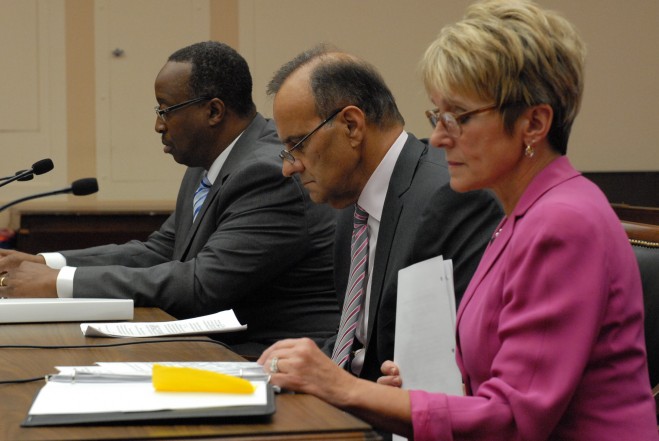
{"x":260,"y":246}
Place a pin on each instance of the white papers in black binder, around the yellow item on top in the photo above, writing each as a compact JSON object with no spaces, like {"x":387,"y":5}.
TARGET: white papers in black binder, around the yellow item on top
{"x":116,"y":392}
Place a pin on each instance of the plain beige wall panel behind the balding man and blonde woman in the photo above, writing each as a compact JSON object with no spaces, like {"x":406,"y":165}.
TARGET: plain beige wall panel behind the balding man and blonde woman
{"x":617,"y":130}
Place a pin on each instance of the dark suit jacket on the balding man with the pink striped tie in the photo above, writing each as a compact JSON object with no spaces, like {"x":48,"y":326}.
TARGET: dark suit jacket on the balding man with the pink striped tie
{"x":422,"y":218}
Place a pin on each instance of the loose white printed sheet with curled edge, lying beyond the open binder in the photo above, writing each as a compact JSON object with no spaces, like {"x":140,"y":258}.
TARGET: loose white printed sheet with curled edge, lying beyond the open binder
{"x":224,"y":321}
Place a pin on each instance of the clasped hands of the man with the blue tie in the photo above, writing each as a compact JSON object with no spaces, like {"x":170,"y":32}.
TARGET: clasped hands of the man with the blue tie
{"x":29,"y":280}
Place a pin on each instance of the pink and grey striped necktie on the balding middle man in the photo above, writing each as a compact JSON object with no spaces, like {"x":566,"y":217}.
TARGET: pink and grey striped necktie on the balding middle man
{"x":356,"y":288}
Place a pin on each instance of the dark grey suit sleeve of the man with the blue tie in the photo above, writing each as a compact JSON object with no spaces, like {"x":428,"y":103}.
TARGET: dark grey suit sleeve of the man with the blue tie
{"x":258,"y":231}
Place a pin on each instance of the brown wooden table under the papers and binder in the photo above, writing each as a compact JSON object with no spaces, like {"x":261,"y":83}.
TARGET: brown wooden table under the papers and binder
{"x":298,"y":416}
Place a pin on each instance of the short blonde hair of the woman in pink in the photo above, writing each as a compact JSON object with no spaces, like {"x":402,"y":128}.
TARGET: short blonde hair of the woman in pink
{"x":515,"y":54}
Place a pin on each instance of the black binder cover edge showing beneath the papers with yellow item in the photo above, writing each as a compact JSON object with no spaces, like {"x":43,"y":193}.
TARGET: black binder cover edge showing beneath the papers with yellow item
{"x":209,"y":414}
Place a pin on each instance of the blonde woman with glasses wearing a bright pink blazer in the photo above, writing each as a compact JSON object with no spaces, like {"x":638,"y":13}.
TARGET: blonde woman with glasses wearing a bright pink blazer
{"x":550,"y":330}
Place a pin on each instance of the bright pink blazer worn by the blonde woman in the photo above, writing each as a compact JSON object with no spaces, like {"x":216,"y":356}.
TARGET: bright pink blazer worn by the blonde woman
{"x":550,"y":329}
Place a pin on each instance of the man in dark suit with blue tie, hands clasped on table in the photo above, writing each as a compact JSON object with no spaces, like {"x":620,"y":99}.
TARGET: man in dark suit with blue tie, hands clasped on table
{"x":257,"y":245}
